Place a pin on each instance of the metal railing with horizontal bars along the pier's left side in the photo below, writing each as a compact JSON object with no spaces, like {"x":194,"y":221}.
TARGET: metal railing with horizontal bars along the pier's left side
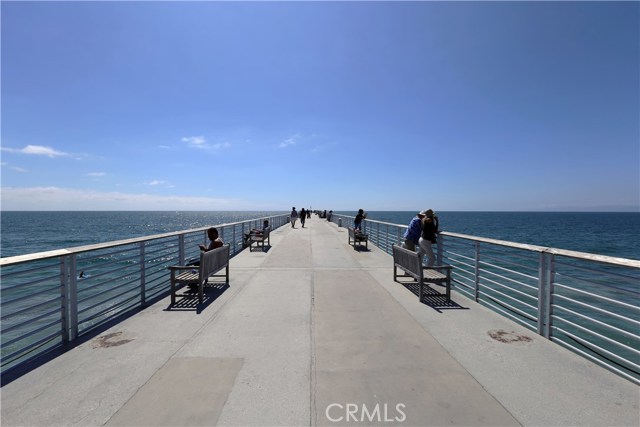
{"x":52,"y":298}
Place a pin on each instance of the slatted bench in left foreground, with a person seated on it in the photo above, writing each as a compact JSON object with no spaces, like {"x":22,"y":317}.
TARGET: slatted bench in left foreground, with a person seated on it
{"x":211,"y":262}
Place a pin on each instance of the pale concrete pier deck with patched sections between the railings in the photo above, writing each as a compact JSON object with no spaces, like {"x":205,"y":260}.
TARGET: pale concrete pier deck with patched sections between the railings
{"x":314,"y":333}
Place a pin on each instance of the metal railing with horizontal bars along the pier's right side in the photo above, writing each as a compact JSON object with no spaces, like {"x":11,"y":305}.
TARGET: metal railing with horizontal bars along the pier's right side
{"x":587,"y":303}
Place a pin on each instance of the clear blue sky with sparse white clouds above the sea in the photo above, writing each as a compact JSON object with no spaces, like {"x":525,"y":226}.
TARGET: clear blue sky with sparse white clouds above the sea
{"x":333,"y":105}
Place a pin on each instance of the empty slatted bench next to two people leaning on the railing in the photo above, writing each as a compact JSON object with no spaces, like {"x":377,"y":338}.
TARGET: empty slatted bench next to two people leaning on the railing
{"x":411,"y":263}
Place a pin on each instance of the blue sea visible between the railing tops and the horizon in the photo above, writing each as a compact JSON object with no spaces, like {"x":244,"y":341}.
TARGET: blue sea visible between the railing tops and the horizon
{"x":613,"y":234}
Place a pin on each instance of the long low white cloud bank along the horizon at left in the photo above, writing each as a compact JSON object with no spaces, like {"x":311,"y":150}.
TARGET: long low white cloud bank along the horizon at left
{"x":55,"y":198}
